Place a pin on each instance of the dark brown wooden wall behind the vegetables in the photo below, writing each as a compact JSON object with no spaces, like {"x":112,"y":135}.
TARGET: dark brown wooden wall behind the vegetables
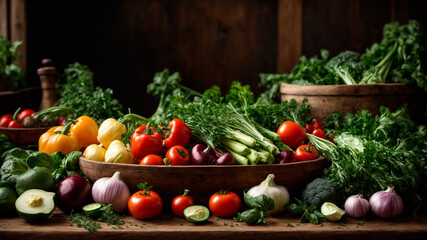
{"x":125,"y":42}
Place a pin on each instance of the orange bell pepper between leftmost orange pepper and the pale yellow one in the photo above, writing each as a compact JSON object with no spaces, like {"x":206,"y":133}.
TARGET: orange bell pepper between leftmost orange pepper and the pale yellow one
{"x":86,"y":130}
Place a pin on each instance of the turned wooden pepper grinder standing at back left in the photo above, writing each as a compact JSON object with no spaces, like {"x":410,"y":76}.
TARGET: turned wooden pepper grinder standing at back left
{"x":47,"y":74}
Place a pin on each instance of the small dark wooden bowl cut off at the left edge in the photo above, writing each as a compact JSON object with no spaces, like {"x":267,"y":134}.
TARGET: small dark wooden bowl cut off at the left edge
{"x":23,"y":137}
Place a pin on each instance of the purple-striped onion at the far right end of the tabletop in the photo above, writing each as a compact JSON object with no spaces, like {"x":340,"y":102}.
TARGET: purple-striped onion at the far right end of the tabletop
{"x":386,"y":204}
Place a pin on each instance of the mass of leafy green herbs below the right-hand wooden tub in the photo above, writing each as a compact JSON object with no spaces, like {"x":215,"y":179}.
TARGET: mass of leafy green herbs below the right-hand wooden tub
{"x":374,"y":152}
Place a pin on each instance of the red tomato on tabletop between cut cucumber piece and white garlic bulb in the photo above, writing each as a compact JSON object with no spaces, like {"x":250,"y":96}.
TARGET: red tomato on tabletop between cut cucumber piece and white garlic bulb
{"x":225,"y":204}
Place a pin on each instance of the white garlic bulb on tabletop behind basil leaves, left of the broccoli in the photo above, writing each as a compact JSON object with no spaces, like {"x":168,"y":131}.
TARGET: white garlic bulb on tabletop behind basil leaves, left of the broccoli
{"x":278,"y":193}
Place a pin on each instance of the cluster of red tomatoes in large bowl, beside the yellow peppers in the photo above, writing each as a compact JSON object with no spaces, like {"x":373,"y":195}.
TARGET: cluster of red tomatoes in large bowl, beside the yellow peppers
{"x":149,"y":142}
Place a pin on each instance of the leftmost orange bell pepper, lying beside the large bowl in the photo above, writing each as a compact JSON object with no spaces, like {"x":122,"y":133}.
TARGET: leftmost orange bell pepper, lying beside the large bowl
{"x":58,"y":141}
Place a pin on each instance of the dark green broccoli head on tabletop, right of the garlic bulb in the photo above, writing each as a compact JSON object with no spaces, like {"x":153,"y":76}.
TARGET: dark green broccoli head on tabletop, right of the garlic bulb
{"x":319,"y":191}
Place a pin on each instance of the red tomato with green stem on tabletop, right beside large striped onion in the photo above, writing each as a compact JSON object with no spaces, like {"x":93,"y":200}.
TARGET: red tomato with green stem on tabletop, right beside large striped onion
{"x":145,"y":204}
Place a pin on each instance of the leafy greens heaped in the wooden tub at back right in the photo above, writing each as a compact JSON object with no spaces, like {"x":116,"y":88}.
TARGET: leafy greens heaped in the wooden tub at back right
{"x":398,"y":58}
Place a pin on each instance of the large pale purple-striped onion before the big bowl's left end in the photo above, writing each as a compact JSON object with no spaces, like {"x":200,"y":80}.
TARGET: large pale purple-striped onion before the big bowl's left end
{"x":111,"y":190}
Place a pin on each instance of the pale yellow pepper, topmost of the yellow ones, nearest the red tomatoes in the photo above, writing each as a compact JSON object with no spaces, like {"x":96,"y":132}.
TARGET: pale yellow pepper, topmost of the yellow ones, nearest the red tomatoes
{"x":109,"y":131}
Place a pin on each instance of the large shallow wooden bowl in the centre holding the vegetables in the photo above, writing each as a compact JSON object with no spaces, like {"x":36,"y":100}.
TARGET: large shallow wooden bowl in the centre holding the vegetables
{"x":205,"y":180}
